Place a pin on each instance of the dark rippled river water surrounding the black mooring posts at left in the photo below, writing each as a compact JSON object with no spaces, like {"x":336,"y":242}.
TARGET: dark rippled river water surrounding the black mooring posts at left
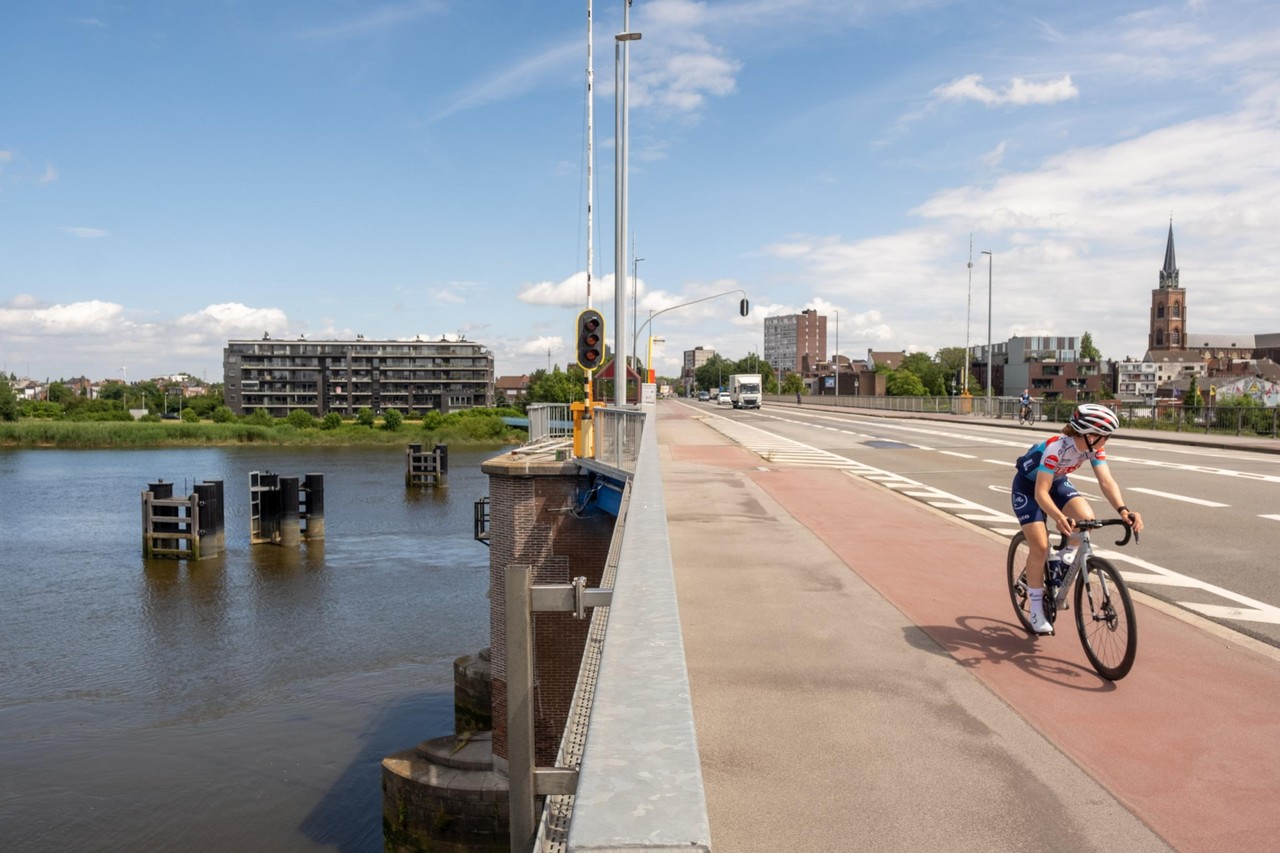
{"x":240,"y":703}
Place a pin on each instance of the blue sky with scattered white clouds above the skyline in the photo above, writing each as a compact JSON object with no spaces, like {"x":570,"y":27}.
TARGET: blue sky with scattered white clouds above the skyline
{"x":176,"y":174}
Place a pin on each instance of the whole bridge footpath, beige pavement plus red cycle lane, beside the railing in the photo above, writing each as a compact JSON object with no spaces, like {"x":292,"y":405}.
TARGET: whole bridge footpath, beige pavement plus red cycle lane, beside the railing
{"x":860,"y":683}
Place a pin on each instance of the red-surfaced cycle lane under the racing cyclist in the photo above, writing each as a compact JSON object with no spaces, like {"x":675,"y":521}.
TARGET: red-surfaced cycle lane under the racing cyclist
{"x":1190,"y":741}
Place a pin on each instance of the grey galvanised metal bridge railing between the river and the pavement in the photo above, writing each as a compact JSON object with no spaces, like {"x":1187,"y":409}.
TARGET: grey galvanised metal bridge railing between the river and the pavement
{"x":629,"y":776}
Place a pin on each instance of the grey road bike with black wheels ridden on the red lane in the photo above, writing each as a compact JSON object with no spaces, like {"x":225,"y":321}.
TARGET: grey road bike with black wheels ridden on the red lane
{"x":1104,"y":609}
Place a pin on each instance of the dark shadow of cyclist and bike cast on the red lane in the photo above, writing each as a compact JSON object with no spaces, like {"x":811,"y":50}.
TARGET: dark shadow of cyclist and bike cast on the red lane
{"x":981,"y":640}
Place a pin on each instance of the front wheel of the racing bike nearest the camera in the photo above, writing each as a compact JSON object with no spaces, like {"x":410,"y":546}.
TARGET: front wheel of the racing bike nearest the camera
{"x":1105,"y":618}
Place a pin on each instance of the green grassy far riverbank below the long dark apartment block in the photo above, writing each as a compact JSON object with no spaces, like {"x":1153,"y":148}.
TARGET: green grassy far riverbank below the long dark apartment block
{"x":67,"y":435}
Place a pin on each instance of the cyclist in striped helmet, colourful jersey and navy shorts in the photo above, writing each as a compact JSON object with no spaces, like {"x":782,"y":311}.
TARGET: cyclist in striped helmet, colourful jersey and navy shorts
{"x":1043,"y":491}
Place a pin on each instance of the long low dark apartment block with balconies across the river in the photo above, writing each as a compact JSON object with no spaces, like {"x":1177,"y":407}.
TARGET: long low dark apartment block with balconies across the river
{"x":348,"y":376}
